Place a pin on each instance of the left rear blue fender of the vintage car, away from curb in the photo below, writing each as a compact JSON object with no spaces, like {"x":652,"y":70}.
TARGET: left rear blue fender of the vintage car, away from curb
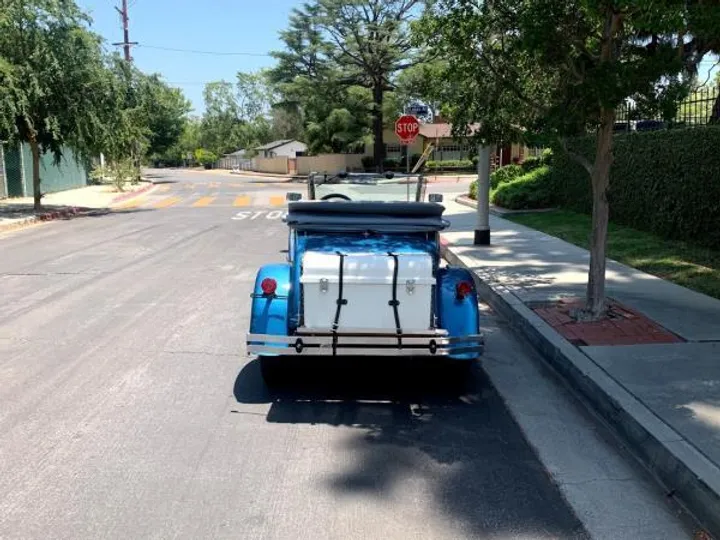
{"x":271,"y":314}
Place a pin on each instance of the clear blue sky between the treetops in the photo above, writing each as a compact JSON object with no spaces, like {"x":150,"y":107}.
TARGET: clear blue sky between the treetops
{"x":229,"y":26}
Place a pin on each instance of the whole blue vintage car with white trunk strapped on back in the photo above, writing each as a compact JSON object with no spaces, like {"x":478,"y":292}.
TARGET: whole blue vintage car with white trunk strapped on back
{"x":363,"y":276}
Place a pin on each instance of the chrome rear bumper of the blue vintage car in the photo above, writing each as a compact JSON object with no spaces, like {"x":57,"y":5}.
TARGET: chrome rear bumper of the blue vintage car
{"x":308,"y":342}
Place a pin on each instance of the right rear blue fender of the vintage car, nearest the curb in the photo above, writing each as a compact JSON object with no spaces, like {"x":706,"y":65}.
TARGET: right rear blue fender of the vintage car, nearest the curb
{"x":460,"y":317}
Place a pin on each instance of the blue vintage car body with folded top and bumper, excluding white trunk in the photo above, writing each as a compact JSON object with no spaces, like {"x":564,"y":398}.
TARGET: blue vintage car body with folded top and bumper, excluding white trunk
{"x":277,"y":325}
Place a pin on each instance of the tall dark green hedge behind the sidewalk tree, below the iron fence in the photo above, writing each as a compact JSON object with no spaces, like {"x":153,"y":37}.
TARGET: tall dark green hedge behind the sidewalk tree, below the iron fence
{"x":663,"y":182}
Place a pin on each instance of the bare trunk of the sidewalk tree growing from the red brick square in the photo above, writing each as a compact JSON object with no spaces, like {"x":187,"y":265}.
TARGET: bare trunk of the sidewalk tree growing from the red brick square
{"x":600,"y":177}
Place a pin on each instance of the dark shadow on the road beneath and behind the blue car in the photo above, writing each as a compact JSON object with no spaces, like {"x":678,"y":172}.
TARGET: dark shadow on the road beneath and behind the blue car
{"x":417,"y":420}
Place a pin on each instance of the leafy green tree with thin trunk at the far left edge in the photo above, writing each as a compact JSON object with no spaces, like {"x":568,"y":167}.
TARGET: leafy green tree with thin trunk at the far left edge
{"x":53,"y":85}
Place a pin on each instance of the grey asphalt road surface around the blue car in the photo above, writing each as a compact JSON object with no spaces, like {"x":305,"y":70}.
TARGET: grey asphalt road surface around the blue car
{"x":128,"y":408}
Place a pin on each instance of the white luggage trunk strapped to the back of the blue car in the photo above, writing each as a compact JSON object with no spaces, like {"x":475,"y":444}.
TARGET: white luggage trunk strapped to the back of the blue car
{"x":368,"y":289}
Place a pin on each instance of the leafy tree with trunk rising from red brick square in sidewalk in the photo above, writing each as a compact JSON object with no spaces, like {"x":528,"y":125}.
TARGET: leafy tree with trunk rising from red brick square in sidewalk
{"x":558,"y":68}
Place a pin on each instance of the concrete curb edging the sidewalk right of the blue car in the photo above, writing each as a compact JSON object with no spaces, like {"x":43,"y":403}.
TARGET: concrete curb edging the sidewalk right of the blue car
{"x":683,"y":471}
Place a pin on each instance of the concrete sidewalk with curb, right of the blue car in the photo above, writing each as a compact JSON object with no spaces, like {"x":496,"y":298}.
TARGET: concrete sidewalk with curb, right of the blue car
{"x":663,"y":400}
